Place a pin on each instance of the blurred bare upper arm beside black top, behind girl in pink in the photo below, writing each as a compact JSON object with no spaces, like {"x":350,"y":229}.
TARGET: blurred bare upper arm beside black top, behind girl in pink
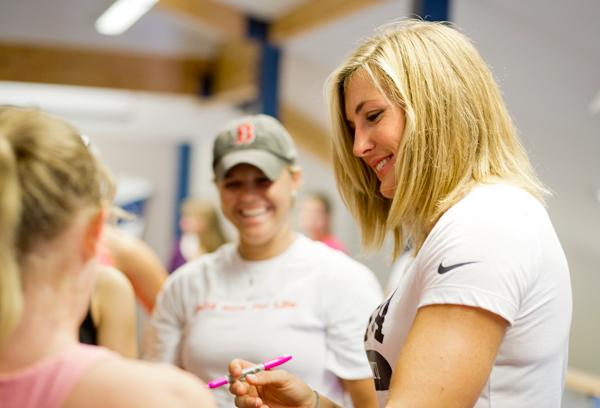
{"x":113,"y":312}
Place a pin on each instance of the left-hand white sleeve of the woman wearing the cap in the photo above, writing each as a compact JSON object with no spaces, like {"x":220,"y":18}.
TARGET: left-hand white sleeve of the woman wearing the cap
{"x":163,"y":334}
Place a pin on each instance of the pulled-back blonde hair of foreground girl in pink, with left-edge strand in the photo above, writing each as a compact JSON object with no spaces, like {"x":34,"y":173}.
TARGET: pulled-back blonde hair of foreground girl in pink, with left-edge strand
{"x":47,"y":175}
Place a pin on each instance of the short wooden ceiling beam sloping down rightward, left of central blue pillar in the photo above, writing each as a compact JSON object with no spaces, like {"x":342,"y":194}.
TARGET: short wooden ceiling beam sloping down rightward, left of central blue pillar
{"x":219,"y":16}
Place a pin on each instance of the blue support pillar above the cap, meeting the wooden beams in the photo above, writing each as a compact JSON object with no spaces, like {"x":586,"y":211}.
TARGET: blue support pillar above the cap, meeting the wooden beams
{"x":269,"y":67}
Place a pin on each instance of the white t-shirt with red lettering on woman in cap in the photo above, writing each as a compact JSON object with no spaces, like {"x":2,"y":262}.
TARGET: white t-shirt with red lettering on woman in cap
{"x":311,"y":301}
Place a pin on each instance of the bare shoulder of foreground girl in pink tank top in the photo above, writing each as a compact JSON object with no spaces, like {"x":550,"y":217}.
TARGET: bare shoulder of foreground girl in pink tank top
{"x":120,"y":382}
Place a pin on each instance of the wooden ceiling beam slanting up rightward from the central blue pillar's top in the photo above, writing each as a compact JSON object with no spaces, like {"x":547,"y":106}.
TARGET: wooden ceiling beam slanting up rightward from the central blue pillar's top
{"x":312,"y":14}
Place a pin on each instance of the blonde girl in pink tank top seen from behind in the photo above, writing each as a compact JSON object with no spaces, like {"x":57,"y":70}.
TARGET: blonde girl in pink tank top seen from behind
{"x":53,"y":197}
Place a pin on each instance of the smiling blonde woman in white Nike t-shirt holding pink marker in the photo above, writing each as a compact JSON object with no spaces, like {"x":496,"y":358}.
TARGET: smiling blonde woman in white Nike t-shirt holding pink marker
{"x":424,"y":149}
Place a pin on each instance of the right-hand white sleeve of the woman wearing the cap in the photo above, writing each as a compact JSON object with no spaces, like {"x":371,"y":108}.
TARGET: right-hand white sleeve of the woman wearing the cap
{"x":350,"y":297}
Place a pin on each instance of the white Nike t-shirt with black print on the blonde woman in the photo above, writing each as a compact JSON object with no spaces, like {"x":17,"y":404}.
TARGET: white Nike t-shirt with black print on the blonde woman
{"x":495,"y":249}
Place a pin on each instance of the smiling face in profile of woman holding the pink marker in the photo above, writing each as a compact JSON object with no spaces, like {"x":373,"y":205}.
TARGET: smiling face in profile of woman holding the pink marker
{"x":377,"y":125}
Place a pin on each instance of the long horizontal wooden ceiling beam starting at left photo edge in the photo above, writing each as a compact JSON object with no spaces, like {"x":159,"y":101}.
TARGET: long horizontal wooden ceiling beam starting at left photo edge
{"x":107,"y":69}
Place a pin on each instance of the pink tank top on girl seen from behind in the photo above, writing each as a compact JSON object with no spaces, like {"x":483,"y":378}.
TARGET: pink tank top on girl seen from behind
{"x":48,"y":383}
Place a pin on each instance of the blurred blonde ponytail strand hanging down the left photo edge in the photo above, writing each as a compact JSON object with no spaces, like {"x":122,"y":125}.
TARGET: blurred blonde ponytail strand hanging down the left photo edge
{"x":11,"y":297}
